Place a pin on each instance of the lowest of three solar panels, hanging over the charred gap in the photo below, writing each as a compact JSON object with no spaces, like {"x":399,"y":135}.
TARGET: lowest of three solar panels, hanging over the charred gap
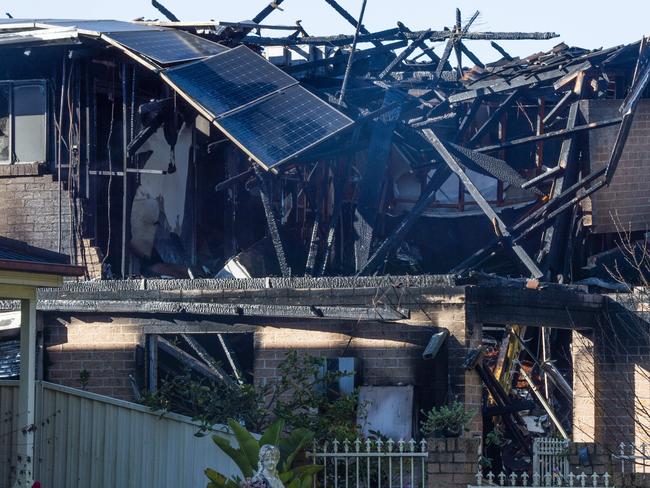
{"x":284,"y":125}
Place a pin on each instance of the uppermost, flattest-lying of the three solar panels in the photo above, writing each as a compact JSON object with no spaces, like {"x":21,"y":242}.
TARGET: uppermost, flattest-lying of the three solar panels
{"x":167,"y":46}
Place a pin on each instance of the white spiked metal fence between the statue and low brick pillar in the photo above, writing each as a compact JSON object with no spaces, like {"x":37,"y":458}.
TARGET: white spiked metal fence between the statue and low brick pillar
{"x":371,"y":464}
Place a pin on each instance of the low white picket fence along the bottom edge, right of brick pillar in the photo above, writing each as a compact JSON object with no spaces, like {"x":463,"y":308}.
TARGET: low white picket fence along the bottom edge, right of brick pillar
{"x":523,"y":480}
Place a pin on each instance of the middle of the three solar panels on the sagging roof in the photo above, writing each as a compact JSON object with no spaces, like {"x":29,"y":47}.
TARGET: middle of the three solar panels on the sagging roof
{"x":229,"y":80}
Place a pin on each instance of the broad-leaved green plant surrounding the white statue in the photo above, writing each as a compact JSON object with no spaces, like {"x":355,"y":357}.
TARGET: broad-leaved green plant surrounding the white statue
{"x":247,"y":454}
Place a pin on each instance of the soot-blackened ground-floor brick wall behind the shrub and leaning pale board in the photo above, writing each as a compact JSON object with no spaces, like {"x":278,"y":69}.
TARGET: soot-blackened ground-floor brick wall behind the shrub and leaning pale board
{"x":389,"y":354}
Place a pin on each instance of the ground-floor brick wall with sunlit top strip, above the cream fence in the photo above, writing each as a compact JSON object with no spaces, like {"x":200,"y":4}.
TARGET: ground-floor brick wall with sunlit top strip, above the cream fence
{"x":102,"y":346}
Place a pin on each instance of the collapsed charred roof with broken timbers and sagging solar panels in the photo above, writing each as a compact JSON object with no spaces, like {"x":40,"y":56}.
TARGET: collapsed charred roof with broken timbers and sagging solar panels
{"x":391,"y":157}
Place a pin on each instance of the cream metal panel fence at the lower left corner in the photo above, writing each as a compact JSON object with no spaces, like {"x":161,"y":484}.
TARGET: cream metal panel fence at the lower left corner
{"x":87,"y":440}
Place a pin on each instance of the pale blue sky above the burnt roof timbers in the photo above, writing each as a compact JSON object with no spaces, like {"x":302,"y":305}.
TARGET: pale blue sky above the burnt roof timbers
{"x":578,"y":24}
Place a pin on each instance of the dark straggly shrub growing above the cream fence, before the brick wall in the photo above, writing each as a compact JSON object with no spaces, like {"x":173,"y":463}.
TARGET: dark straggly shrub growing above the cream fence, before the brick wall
{"x":301,"y":395}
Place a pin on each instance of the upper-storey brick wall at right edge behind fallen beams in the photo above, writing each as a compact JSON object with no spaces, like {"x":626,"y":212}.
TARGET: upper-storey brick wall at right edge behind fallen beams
{"x":627,"y":197}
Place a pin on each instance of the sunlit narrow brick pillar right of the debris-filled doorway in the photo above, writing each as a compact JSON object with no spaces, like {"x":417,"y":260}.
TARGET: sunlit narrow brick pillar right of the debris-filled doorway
{"x":584,"y":384}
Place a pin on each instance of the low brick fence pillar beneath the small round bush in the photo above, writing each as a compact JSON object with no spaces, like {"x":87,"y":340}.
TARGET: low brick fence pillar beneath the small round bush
{"x":453,"y":463}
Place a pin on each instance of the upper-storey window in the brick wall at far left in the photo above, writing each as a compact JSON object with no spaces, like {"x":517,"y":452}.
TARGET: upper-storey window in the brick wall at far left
{"x":23,"y":119}
